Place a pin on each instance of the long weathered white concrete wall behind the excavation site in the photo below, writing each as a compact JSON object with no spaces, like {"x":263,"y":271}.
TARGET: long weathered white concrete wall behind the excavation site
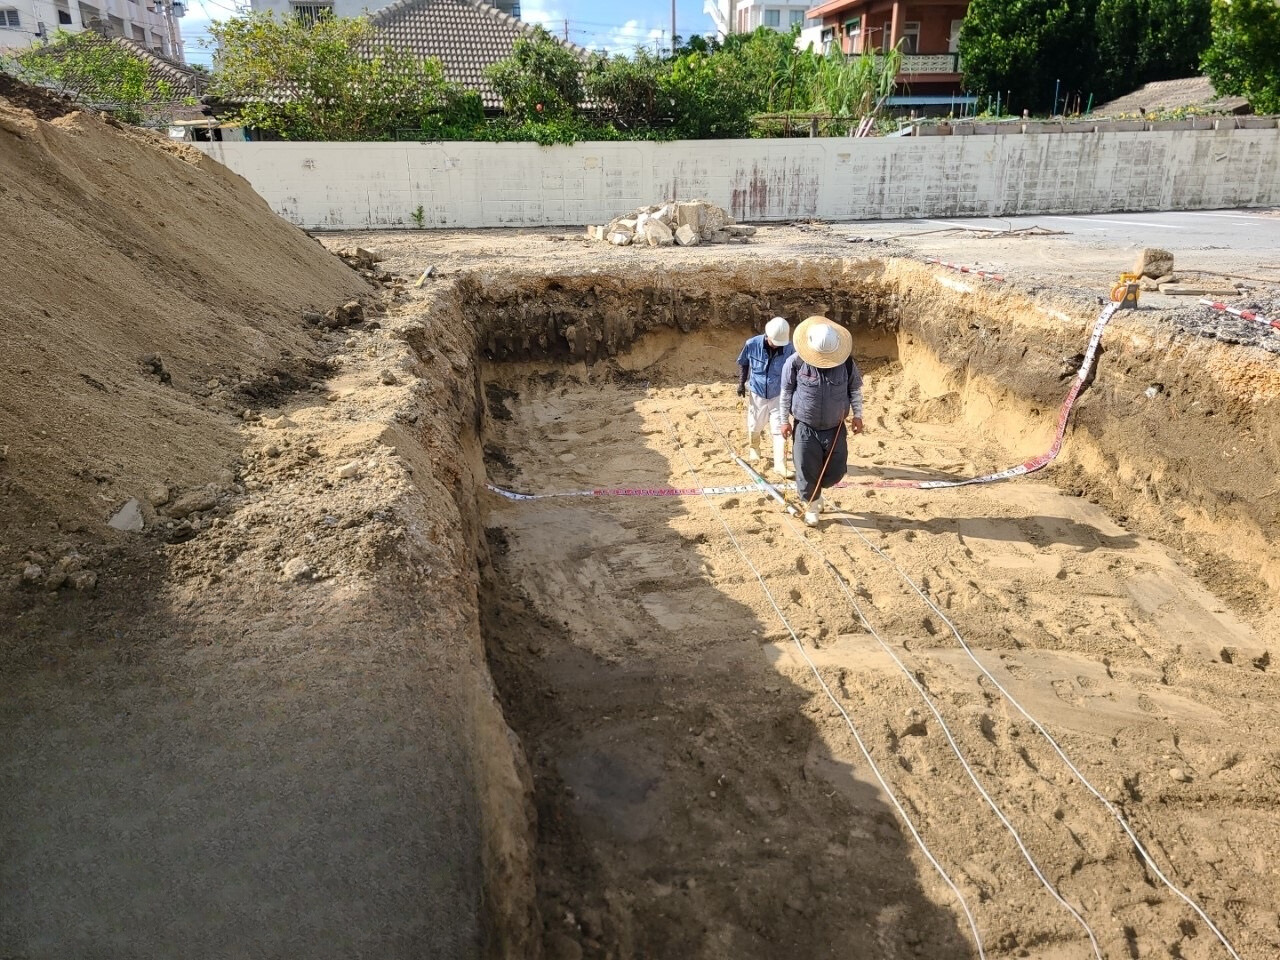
{"x":524,"y":185}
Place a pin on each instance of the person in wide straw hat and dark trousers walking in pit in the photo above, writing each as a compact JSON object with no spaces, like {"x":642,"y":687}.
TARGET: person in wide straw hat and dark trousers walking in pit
{"x":821,"y":386}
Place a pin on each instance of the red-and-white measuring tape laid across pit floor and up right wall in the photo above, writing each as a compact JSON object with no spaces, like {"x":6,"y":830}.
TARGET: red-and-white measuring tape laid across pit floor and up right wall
{"x":1031,"y":467}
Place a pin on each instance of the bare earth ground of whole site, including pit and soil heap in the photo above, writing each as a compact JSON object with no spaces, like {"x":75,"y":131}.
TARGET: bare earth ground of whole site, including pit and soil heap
{"x":332,"y":697}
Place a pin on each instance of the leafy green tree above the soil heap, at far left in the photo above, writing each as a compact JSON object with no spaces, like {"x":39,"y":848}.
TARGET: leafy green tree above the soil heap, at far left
{"x":95,"y":72}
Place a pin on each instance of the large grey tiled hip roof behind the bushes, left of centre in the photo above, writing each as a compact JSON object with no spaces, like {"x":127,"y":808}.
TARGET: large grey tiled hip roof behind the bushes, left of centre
{"x":465,"y":35}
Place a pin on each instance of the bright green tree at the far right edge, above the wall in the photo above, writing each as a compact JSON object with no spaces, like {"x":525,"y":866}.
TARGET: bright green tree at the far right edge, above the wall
{"x":1244,"y":58}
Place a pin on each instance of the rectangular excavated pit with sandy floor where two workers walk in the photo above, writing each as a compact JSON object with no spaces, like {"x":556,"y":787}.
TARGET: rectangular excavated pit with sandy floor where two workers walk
{"x":697,"y":794}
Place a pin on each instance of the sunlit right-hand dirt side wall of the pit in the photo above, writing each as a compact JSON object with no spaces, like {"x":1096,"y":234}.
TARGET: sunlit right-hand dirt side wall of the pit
{"x":1178,"y":436}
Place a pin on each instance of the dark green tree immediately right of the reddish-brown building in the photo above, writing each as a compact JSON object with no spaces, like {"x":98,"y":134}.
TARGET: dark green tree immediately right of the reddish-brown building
{"x":1030,"y":49}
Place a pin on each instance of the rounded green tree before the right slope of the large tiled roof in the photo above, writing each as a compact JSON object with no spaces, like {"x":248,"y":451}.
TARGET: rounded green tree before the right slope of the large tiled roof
{"x":541,"y":81}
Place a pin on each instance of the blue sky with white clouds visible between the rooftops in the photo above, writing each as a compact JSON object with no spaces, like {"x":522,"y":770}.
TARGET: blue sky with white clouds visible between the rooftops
{"x":618,"y":28}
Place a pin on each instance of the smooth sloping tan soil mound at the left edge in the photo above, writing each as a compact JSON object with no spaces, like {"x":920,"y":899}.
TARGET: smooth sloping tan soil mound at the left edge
{"x":149,"y":294}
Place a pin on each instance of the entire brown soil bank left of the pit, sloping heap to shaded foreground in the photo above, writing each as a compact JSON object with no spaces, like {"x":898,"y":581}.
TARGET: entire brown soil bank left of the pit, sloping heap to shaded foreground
{"x":263,"y":724}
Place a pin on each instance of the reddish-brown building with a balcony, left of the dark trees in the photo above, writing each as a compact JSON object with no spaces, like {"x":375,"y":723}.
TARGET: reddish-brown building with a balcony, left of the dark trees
{"x":929,"y":33}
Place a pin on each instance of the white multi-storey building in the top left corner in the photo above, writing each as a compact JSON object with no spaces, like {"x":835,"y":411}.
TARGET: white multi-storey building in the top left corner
{"x":153,"y":24}
